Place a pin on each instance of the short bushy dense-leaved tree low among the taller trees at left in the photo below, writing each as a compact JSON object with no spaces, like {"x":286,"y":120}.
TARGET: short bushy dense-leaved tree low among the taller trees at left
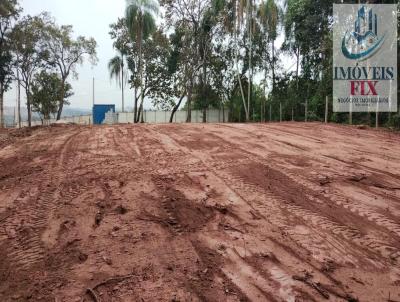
{"x":45,"y":90}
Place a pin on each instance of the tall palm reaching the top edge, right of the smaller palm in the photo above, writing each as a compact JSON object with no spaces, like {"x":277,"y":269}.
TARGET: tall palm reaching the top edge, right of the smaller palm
{"x":141,"y":24}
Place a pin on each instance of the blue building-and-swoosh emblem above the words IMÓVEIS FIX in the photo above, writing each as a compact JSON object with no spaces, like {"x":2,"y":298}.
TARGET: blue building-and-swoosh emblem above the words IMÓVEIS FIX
{"x":364,"y":41}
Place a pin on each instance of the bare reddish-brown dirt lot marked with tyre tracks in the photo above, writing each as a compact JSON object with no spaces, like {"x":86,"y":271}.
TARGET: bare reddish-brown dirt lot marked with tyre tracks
{"x":278,"y":212}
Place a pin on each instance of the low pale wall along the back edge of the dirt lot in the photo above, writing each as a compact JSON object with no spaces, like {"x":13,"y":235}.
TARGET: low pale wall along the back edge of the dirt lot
{"x":151,"y":116}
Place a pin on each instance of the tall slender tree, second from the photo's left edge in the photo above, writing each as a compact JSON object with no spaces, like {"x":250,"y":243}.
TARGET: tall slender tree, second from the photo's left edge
{"x":26,"y":36}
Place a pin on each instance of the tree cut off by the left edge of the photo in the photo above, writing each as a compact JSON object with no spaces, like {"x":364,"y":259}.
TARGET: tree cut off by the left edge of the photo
{"x":9,"y":12}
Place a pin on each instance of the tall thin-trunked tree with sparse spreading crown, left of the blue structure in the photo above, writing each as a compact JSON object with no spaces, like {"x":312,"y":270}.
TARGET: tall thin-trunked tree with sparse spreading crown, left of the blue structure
{"x":65,"y":53}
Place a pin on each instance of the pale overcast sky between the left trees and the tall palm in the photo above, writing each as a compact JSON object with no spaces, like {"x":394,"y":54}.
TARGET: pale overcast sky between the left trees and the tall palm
{"x":90,"y":18}
